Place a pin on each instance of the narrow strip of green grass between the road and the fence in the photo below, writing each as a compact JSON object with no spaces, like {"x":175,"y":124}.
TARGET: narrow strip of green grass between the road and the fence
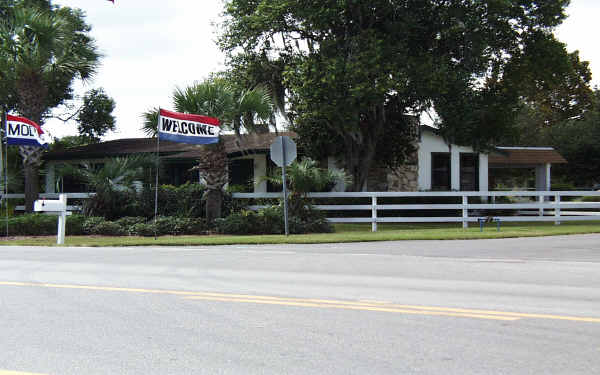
{"x":343,"y":233}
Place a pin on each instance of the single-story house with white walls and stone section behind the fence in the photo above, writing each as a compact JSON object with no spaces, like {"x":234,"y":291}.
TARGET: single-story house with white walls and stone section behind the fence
{"x":436,"y":164}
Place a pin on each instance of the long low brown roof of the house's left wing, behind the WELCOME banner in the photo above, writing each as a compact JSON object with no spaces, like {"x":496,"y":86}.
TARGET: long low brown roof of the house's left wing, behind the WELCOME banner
{"x":170,"y":150}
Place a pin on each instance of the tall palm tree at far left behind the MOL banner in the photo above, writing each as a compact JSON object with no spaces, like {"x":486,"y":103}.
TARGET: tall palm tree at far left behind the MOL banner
{"x":47,"y":50}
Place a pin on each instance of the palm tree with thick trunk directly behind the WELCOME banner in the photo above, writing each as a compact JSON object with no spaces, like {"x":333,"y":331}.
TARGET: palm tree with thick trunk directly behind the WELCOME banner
{"x":237,"y":111}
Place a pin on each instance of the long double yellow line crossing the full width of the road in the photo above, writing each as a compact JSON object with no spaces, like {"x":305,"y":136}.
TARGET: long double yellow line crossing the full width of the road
{"x":322,"y":303}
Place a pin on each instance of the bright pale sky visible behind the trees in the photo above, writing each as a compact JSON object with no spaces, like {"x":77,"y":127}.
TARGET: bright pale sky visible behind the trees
{"x":150,"y":47}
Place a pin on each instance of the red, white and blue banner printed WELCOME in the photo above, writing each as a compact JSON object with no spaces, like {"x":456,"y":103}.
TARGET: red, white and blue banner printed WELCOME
{"x":186,"y":128}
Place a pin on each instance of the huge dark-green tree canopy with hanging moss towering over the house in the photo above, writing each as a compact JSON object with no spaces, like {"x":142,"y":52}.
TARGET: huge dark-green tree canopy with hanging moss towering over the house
{"x":354,"y":71}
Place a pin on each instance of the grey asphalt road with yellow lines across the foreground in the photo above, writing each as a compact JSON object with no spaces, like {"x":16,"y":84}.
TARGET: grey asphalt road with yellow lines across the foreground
{"x":510,"y":306}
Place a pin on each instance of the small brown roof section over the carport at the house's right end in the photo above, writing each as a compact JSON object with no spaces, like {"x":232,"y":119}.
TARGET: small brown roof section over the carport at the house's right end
{"x":526,"y":155}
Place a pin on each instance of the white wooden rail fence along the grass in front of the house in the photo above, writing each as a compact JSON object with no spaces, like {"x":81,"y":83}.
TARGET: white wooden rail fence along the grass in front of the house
{"x":544,"y":203}
